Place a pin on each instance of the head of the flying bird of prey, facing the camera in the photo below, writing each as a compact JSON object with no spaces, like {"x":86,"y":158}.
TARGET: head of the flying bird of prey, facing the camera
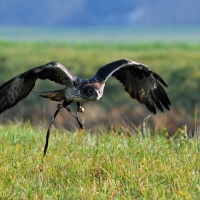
{"x":90,"y":93}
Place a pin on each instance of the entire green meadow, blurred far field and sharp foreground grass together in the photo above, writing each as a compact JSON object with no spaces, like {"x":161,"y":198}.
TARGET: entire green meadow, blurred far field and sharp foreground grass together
{"x":112,"y":158}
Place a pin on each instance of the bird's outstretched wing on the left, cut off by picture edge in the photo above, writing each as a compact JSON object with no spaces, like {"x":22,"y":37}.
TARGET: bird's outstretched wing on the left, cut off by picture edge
{"x":20,"y":86}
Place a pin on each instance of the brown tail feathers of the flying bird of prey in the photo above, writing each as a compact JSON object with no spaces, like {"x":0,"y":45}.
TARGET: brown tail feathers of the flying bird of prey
{"x":57,"y":95}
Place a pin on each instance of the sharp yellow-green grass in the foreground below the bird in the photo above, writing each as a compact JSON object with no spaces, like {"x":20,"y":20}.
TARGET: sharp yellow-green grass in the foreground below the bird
{"x":114,"y":164}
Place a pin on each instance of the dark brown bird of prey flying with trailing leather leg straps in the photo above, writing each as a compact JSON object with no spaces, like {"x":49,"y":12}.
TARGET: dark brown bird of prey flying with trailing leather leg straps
{"x":139,"y":81}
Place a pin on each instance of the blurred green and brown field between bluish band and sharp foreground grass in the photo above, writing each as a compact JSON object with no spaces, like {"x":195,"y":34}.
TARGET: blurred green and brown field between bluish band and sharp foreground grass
{"x":177,"y":64}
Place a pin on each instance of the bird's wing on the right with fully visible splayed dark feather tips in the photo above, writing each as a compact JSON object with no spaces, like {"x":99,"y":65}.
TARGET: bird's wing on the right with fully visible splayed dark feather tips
{"x":139,"y":81}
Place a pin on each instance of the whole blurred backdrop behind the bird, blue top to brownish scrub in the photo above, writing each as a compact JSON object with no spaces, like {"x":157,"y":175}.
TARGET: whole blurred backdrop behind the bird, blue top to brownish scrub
{"x":85,"y":35}
